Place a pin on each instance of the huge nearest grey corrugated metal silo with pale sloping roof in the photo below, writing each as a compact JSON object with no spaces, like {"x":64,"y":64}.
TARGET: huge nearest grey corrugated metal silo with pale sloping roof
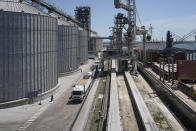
{"x":28,"y":51}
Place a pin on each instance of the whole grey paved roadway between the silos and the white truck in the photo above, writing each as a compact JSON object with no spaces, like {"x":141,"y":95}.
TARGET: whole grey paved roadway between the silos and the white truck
{"x":54,"y":116}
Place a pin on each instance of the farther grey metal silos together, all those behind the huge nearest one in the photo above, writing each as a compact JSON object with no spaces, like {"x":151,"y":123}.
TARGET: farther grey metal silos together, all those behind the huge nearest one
{"x":72,"y":46}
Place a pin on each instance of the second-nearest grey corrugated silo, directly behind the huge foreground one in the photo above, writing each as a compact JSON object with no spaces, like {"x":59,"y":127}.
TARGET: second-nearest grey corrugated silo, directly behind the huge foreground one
{"x":68,"y":55}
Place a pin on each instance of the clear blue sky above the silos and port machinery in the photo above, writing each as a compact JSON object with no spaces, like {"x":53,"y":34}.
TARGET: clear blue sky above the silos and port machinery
{"x":179,"y":16}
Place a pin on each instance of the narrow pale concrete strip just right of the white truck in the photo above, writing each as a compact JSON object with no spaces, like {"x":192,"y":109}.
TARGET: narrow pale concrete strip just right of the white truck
{"x":84,"y":113}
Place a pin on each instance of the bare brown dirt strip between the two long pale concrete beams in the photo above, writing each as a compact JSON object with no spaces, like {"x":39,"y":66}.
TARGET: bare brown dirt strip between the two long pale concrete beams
{"x":127,"y":114}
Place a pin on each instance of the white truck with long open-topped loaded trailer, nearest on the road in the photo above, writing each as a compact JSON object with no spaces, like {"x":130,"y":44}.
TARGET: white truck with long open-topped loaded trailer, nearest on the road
{"x":81,"y":88}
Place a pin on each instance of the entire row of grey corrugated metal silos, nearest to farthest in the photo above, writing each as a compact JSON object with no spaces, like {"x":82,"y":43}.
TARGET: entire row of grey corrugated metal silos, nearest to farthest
{"x":35,"y":47}
